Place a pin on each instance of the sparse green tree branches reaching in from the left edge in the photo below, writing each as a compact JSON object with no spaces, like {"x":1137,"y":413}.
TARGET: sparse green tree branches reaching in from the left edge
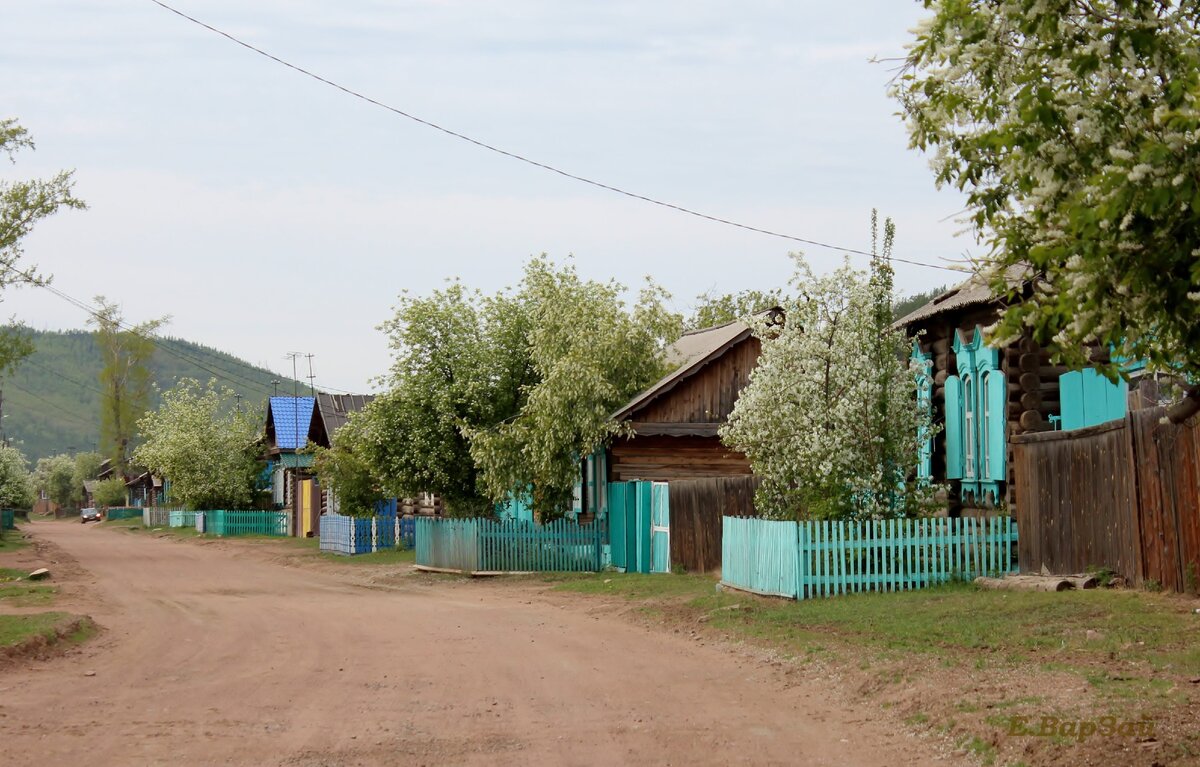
{"x":22,"y":206}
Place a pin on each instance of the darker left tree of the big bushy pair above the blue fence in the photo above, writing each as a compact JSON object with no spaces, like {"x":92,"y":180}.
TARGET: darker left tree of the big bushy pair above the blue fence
{"x":460,"y":363}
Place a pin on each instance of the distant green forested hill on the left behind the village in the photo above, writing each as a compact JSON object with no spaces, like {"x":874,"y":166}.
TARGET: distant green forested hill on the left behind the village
{"x":52,"y":403}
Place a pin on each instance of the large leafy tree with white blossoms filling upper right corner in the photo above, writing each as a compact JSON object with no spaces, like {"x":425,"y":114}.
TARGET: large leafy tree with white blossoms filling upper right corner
{"x":1072,"y":125}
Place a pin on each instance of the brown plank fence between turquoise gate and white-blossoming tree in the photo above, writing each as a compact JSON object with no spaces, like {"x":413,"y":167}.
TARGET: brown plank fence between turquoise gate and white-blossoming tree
{"x":698,"y":507}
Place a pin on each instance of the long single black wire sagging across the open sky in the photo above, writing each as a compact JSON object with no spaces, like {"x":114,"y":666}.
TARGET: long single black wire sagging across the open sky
{"x":527,"y":160}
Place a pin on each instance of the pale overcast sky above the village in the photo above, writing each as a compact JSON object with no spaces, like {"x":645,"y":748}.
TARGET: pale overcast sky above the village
{"x":267,"y":213}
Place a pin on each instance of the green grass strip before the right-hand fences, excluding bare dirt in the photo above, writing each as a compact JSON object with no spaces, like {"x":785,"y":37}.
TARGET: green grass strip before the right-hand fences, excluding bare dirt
{"x":982,"y":628}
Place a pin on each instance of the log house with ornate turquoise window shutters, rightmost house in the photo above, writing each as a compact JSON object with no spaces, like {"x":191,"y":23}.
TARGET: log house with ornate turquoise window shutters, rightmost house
{"x":981,"y":396}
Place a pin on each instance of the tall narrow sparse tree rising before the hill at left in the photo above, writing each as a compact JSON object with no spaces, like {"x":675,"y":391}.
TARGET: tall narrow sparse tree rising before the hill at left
{"x":125,"y":379}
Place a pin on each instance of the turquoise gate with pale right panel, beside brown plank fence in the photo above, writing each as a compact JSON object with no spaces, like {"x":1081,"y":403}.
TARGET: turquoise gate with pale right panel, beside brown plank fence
{"x":639,"y":526}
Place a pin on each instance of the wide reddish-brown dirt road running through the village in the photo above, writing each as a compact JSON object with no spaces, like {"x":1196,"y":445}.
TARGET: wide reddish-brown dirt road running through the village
{"x":215,"y":655}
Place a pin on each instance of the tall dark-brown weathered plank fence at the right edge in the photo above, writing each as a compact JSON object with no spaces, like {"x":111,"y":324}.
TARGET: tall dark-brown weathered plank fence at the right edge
{"x":1124,"y":495}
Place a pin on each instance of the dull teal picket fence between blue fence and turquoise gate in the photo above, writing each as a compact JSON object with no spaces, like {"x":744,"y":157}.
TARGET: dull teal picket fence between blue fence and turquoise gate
{"x":509,"y":547}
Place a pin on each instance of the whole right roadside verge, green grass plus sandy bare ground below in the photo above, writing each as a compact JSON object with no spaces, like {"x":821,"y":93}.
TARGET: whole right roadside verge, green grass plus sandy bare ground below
{"x":963,"y":663}
